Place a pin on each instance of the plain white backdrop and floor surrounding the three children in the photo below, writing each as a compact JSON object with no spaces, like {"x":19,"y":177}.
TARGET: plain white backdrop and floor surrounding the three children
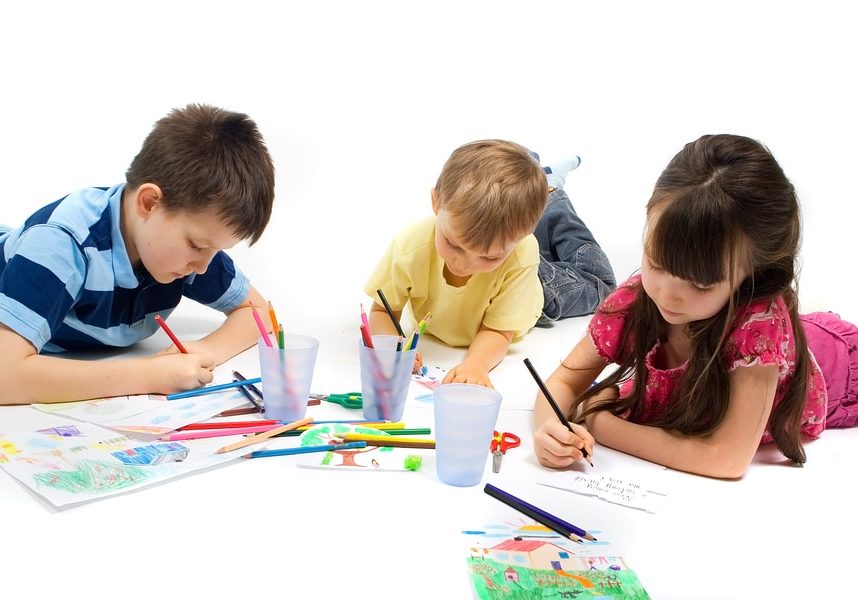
{"x":360,"y":104}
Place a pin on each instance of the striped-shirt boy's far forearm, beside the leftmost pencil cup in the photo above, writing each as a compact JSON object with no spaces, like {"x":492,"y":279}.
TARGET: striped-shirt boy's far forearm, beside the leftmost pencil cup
{"x":237,"y":333}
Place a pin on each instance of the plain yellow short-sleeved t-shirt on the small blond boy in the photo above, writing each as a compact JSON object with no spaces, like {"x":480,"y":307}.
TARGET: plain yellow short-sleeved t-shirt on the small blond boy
{"x":507,"y":299}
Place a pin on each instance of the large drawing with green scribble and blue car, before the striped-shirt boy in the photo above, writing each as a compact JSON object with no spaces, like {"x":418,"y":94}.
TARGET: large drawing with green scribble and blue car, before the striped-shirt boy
{"x":69,"y":463}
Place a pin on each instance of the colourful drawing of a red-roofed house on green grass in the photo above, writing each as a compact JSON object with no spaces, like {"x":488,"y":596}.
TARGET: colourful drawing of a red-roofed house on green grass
{"x":527,"y":561}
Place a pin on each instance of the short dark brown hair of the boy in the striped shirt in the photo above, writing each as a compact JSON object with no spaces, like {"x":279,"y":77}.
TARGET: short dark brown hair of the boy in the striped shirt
{"x":203,"y":157}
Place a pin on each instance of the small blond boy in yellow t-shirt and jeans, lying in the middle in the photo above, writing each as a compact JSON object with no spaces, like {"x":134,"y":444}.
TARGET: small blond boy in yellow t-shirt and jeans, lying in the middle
{"x":475,"y":265}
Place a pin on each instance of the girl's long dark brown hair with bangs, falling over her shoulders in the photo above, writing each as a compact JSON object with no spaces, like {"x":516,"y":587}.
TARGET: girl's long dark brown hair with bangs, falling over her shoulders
{"x":720,"y":196}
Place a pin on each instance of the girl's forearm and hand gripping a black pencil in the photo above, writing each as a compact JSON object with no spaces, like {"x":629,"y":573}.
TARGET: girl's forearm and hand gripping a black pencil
{"x":554,"y":444}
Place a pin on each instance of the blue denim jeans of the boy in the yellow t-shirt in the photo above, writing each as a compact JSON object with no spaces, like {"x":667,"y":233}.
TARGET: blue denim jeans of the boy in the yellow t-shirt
{"x":576,"y":274}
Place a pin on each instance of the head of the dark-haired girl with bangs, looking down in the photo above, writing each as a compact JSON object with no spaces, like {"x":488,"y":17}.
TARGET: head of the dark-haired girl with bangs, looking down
{"x":723,"y":216}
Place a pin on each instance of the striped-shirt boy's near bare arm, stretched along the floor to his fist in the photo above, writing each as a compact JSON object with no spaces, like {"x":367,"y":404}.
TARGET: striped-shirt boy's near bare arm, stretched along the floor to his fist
{"x":31,"y":377}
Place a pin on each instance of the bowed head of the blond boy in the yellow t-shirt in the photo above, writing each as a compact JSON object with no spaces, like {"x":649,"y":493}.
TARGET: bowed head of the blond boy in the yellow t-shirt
{"x":490,"y":195}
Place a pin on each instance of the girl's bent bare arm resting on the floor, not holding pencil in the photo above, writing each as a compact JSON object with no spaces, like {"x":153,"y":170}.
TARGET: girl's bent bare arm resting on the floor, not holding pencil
{"x":725,"y":453}
